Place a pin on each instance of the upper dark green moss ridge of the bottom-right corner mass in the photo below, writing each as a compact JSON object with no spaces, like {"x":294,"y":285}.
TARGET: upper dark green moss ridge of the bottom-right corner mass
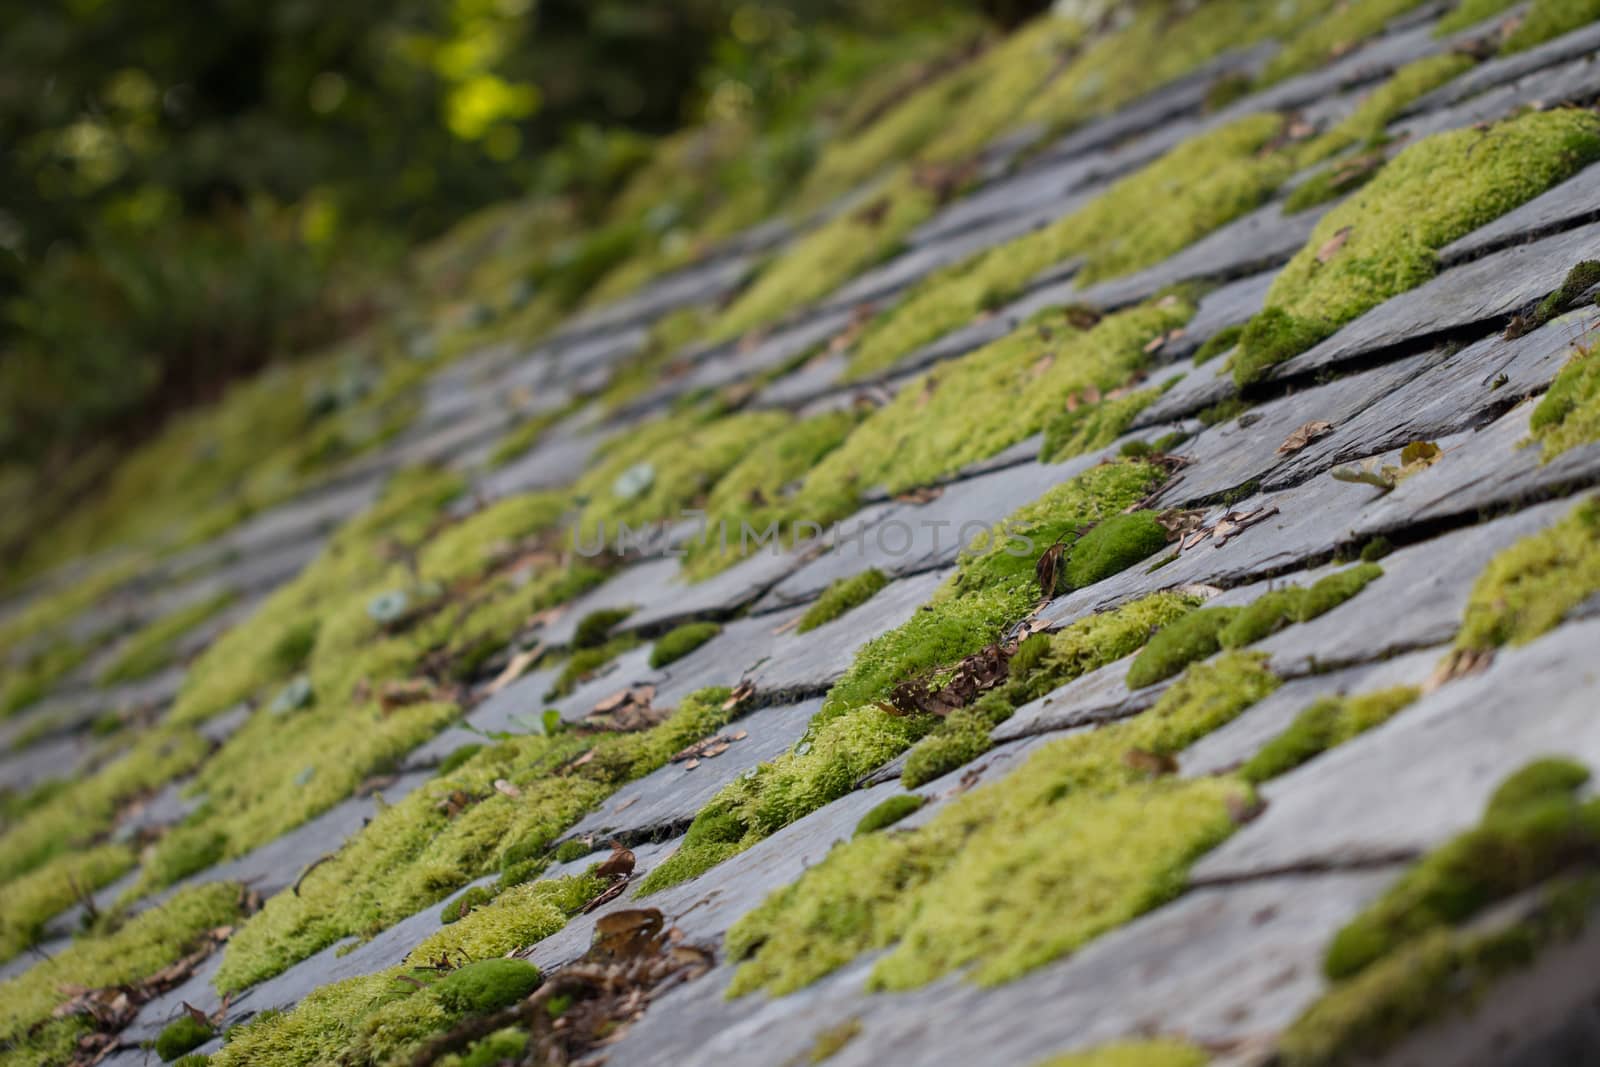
{"x":1538,"y":829}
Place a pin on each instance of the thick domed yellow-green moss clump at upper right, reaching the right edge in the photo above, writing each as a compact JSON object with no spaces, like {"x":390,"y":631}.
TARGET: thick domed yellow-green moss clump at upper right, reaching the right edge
{"x":1385,"y":239}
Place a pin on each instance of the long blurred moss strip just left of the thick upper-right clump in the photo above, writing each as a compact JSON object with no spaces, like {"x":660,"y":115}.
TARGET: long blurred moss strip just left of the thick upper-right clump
{"x":1145,"y":218}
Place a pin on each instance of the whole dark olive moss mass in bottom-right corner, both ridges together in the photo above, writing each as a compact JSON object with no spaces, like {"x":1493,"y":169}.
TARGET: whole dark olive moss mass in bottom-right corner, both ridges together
{"x":1412,"y":957}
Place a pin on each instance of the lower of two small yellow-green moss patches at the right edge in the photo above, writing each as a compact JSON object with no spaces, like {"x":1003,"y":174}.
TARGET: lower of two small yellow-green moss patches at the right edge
{"x":1529,"y":588}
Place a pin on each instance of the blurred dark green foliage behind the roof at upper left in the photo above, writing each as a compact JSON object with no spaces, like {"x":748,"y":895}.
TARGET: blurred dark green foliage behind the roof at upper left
{"x":198,"y":191}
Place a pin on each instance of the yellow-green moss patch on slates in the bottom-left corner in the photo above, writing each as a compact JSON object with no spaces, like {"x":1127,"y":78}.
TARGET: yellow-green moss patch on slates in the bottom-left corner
{"x":140,"y":948}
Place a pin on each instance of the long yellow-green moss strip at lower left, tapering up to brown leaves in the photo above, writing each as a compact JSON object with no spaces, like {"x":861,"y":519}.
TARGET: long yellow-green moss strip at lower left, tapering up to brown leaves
{"x":455,"y":829}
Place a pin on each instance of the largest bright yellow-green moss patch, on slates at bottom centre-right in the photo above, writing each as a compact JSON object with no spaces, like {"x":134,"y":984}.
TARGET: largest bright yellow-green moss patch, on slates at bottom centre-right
{"x":1079,"y":826}
